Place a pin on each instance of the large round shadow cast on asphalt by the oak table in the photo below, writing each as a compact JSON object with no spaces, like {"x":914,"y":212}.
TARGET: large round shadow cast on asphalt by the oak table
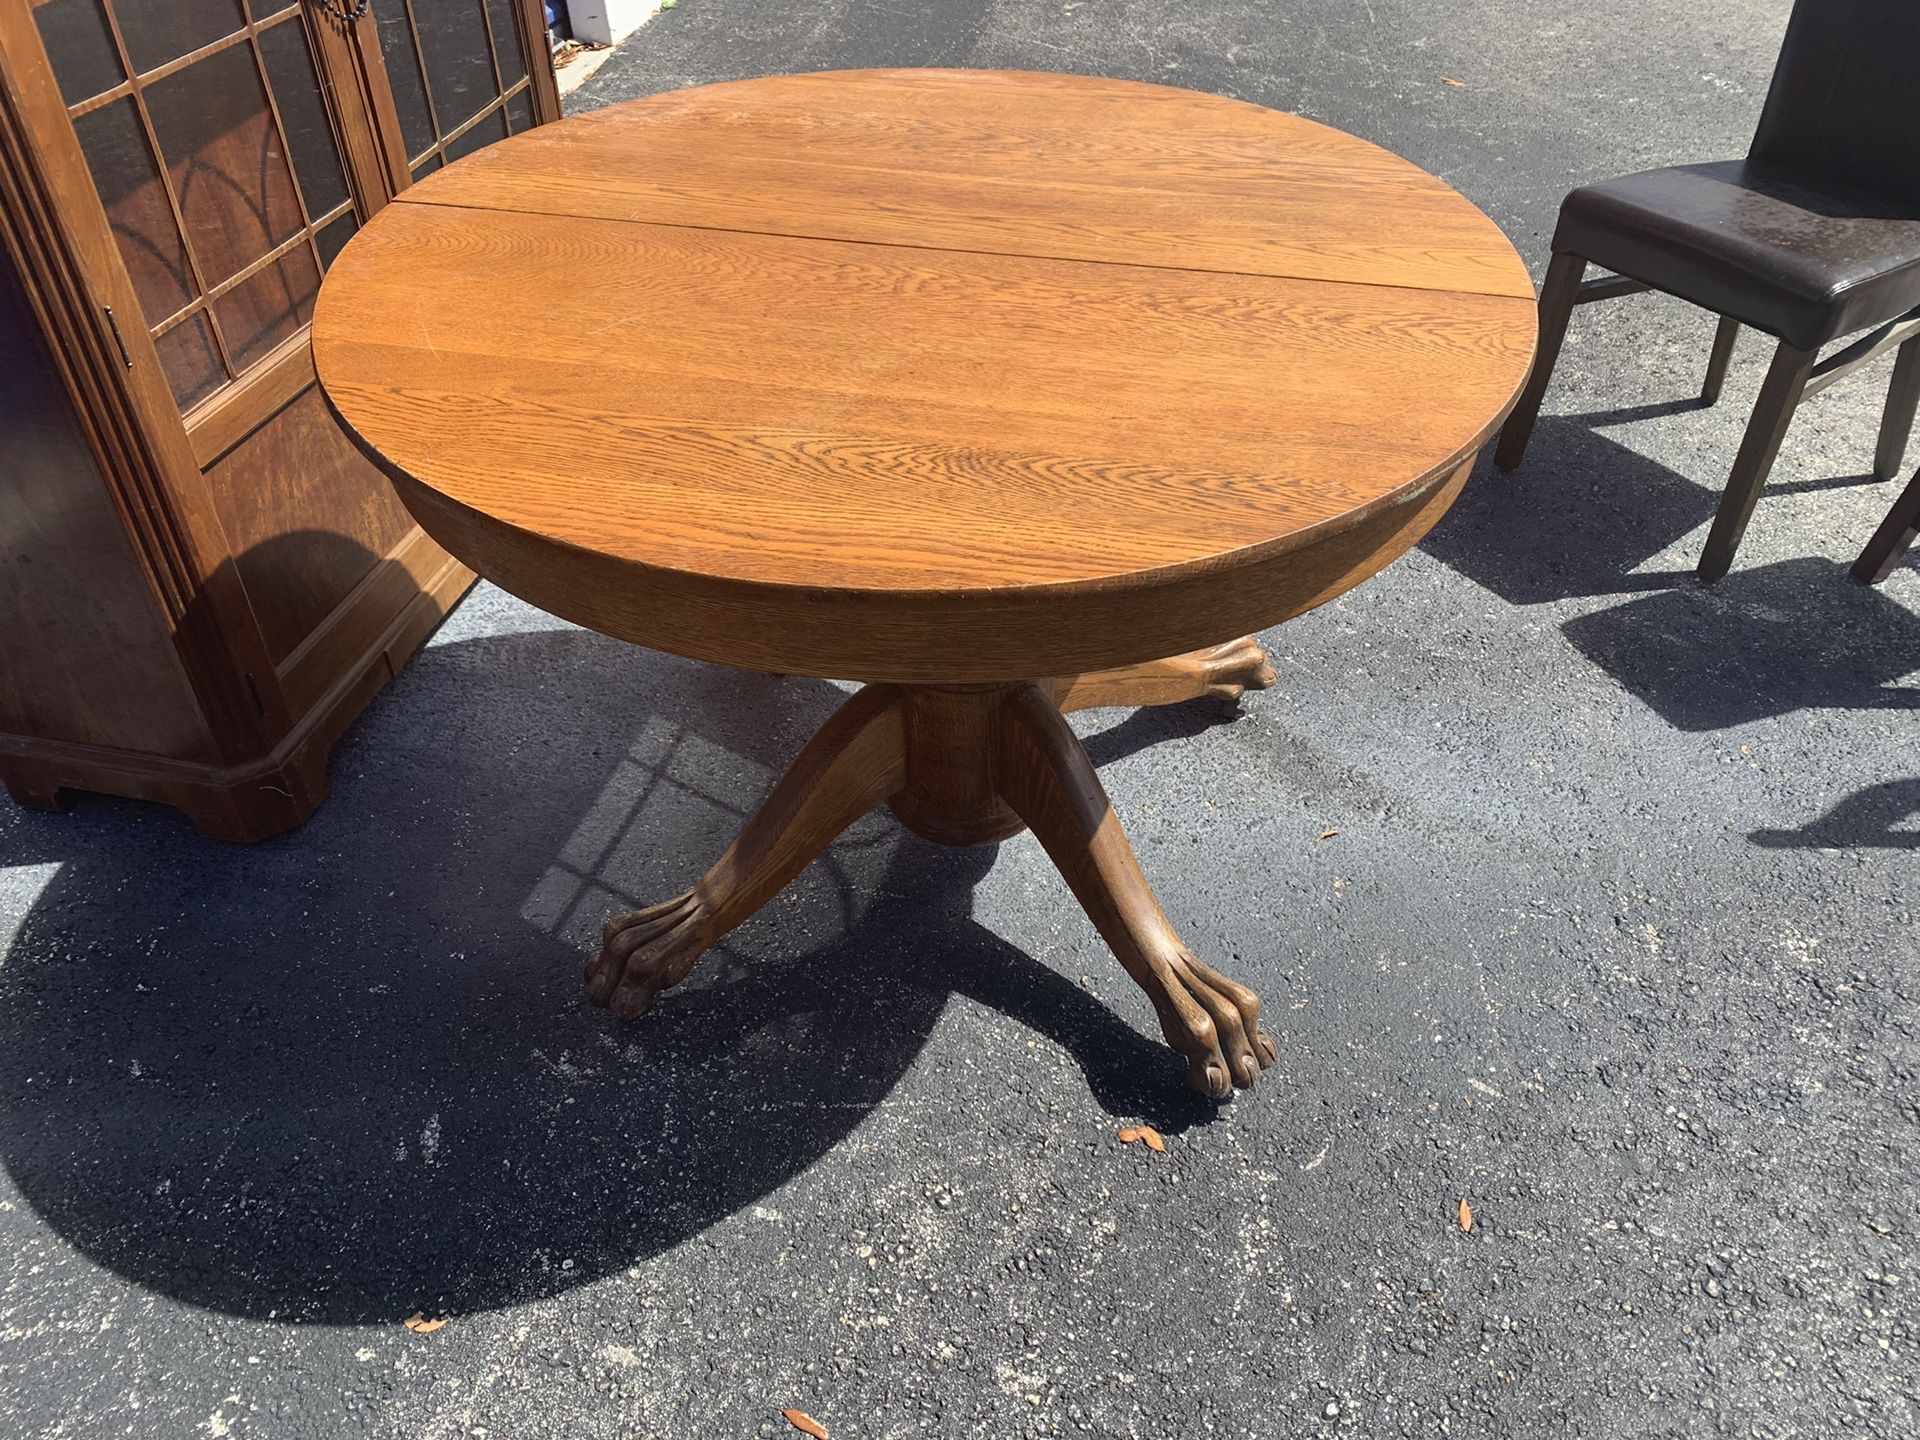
{"x":350,"y":1074}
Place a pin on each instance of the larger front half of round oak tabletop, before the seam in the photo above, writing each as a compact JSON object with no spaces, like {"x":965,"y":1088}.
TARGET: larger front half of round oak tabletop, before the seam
{"x":913,"y":420}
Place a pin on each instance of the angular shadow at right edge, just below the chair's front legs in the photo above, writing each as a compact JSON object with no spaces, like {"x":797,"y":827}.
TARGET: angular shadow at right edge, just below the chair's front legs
{"x":1760,"y":644}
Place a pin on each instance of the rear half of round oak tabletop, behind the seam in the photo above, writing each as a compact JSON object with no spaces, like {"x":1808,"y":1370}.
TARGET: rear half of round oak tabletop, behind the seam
{"x":1028,"y":164}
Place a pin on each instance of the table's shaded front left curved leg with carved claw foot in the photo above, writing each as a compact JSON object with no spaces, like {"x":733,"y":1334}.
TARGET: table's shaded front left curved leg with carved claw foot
{"x":852,"y":765}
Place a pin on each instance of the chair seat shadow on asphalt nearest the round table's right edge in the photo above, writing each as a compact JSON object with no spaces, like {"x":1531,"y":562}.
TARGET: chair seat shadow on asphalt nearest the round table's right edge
{"x":1577,"y":519}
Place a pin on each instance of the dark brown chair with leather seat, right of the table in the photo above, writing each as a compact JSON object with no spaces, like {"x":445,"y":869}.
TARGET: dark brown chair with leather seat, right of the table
{"x":1813,"y":237}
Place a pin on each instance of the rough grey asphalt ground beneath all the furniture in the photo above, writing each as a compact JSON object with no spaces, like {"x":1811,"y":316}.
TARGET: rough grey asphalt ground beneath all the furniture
{"x":1573,"y":890}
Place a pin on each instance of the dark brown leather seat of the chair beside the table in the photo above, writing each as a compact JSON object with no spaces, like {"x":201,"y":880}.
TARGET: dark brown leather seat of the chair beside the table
{"x":1754,"y":243}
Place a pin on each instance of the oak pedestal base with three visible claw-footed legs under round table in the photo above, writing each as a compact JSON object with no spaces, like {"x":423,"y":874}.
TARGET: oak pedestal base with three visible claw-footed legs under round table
{"x":969,"y":765}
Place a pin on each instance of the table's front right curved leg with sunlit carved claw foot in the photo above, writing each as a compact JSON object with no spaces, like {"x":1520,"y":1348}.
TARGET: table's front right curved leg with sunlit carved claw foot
{"x":1047,"y":779}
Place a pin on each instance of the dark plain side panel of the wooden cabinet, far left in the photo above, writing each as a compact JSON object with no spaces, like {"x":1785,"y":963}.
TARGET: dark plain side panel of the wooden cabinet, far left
{"x":85,"y":654}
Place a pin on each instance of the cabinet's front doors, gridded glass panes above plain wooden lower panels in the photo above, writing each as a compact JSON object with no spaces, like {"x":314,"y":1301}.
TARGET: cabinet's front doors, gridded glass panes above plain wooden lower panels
{"x":235,"y":147}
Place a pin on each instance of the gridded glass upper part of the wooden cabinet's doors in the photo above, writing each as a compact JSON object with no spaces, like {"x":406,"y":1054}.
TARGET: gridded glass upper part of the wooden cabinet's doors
{"x":231,"y":174}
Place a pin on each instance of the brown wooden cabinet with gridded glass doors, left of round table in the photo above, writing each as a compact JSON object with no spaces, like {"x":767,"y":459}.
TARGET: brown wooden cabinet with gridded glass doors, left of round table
{"x":201,"y":579}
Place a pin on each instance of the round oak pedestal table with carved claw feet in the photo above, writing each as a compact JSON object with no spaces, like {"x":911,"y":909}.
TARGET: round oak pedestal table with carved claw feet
{"x":992,"y":391}
